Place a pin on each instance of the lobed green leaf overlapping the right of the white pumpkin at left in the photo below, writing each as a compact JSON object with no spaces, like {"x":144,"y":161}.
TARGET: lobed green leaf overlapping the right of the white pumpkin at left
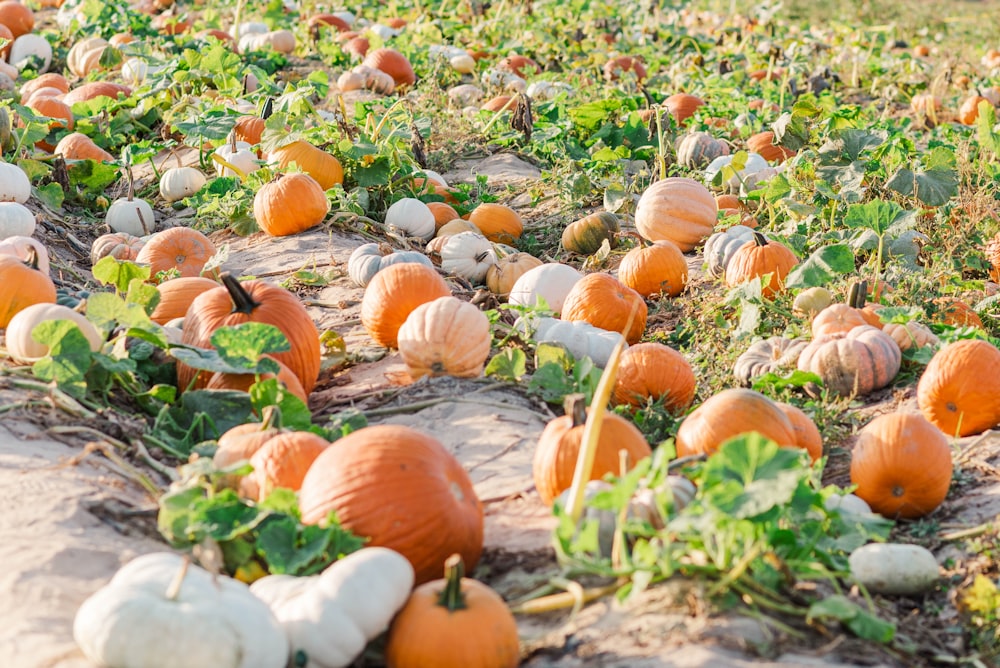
{"x":69,"y":356}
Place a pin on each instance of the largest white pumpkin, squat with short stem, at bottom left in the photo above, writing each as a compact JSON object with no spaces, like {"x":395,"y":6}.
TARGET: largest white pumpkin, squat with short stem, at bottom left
{"x":154,"y":614}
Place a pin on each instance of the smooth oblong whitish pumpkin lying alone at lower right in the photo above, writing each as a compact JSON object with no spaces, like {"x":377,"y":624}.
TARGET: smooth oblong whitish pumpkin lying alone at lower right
{"x":894,"y":568}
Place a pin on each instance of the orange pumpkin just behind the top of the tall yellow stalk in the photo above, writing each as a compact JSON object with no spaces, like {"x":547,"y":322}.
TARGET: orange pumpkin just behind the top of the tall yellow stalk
{"x":603,"y":301}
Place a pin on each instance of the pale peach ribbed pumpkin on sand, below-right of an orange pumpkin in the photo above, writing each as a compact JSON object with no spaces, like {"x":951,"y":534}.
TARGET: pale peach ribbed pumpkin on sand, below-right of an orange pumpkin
{"x":445,"y":337}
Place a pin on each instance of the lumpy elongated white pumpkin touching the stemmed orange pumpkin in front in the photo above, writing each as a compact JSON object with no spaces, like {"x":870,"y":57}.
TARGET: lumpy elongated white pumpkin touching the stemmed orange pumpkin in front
{"x":330,"y":617}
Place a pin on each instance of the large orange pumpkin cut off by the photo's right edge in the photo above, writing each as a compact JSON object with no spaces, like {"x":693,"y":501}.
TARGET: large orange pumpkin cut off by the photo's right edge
{"x":959,"y":391}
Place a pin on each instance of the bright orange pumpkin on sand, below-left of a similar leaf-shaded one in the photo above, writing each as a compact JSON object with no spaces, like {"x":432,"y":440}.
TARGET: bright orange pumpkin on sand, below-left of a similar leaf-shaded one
{"x":290,"y":204}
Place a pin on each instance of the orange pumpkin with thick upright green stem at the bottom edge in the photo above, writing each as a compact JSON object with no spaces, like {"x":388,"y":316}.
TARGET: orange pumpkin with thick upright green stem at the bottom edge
{"x":456,"y":622}
